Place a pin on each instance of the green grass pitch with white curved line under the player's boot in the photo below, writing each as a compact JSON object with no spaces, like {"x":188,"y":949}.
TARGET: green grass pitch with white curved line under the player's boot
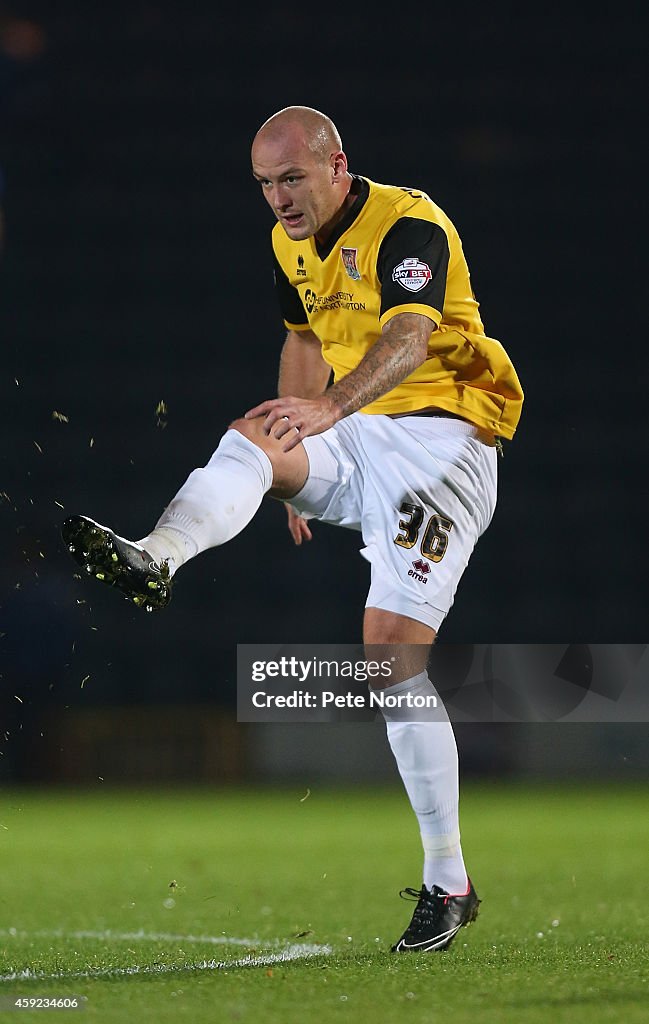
{"x":264,"y":906}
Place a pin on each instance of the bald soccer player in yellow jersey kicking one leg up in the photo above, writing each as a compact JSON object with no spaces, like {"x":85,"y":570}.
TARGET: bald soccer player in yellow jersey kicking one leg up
{"x":402,"y":446}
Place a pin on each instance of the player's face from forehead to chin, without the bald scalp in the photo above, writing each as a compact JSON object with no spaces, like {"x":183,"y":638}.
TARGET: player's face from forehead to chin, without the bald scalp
{"x":299,"y":187}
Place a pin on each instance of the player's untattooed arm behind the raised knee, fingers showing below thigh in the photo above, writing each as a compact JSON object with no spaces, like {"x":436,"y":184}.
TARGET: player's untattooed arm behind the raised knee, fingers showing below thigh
{"x":304,"y":372}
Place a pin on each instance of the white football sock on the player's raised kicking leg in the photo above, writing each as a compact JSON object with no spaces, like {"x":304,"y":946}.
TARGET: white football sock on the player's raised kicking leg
{"x":214,"y":504}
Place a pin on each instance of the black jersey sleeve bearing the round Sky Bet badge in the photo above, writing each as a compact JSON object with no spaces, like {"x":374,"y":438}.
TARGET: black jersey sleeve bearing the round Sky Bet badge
{"x":412,"y":239}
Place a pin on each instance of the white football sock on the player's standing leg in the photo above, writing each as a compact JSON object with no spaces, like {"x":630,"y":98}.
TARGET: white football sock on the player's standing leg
{"x":427,"y":758}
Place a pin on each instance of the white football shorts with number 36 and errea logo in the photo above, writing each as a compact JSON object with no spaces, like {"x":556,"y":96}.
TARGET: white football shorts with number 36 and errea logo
{"x":420,"y":489}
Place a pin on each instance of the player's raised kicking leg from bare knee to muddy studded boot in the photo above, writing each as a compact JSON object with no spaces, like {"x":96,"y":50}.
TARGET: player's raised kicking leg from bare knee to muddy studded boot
{"x":213,"y":506}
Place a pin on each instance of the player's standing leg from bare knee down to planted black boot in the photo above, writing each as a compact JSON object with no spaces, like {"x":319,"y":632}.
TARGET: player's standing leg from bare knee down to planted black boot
{"x":425,"y":751}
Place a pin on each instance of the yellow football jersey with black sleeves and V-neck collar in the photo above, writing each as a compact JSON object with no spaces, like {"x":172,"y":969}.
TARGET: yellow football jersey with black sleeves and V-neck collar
{"x":396,"y":251}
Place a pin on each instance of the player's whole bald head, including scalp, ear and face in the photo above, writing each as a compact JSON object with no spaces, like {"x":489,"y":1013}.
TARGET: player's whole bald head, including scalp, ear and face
{"x":298,"y":160}
